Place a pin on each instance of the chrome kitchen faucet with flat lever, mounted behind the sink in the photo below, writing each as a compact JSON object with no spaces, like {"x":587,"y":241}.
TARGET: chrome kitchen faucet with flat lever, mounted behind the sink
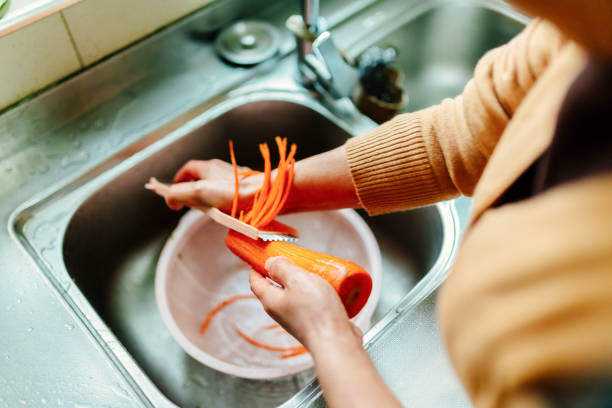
{"x":320,"y":63}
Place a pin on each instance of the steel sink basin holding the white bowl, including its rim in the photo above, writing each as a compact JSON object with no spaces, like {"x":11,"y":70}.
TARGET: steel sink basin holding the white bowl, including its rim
{"x":111,"y":232}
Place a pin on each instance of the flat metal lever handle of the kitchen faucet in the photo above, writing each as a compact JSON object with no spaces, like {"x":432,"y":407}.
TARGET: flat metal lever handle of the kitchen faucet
{"x":343,"y":77}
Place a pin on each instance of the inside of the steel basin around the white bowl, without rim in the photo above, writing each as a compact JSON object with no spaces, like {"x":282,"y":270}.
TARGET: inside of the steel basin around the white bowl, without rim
{"x":113,"y":240}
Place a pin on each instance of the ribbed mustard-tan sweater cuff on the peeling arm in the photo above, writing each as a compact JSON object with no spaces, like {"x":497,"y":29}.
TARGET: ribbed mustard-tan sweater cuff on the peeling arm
{"x":390,"y":167}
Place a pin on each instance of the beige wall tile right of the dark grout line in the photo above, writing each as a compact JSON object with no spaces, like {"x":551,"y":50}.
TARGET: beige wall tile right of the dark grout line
{"x":100,"y":27}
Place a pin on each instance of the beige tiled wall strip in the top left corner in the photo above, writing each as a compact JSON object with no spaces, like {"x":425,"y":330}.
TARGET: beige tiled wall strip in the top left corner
{"x":52,"y":48}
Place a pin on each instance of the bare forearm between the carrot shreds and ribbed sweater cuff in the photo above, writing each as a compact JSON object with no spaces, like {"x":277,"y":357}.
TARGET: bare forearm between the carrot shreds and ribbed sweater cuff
{"x":322,"y":182}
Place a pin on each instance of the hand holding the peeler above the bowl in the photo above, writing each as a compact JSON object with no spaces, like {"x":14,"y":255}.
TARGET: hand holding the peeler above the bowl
{"x":210,"y":183}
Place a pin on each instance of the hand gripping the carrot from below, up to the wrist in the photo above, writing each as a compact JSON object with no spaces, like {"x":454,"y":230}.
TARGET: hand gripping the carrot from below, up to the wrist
{"x":306,"y":305}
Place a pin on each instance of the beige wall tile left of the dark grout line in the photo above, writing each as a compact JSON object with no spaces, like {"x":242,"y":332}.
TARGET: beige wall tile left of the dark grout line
{"x":34,"y":57}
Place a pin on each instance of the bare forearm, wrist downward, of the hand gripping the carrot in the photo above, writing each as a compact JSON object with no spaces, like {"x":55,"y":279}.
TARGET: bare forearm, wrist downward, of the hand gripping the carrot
{"x":347,"y":376}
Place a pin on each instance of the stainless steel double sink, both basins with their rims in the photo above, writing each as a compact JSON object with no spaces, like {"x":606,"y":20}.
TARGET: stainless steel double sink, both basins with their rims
{"x":98,"y":238}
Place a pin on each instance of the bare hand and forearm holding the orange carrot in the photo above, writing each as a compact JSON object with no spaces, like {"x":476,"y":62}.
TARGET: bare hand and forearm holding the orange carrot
{"x":309,"y":308}
